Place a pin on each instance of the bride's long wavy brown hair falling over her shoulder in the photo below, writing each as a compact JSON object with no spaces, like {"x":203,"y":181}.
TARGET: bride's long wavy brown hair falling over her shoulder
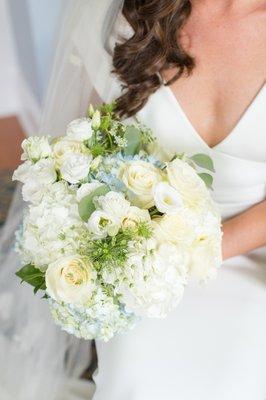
{"x":153,"y":48}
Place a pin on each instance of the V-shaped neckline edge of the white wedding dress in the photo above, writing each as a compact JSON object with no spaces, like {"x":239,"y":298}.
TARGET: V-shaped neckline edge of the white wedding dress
{"x":244,"y":115}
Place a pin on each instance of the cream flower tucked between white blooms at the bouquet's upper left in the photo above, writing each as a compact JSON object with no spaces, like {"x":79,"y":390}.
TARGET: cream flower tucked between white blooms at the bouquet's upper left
{"x":64,"y":146}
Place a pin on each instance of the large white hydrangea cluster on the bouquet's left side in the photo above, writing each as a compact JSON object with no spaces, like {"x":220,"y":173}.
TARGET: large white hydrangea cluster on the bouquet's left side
{"x":52,"y":228}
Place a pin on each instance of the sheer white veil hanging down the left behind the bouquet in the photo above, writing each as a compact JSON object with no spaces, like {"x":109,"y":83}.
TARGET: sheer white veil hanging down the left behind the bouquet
{"x":37,"y":359}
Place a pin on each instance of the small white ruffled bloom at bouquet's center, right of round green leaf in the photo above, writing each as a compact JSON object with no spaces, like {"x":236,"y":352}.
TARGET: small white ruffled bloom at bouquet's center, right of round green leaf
{"x":114,"y":204}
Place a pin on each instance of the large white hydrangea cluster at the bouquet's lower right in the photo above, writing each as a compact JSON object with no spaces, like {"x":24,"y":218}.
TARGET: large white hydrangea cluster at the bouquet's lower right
{"x":155,"y":283}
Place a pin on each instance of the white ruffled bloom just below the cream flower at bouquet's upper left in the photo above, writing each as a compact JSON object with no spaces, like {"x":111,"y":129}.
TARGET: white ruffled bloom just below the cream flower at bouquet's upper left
{"x":75,"y":167}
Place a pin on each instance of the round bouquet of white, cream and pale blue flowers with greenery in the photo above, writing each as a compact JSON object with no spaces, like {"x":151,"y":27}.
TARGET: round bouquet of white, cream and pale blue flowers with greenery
{"x":115,"y":228}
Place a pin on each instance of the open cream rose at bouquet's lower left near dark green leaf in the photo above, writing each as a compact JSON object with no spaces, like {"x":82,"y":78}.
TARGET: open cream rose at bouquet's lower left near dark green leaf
{"x":71,"y":280}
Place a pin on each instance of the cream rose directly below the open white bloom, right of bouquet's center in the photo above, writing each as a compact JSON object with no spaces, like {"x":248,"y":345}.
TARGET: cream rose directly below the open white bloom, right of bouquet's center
{"x":174,"y":228}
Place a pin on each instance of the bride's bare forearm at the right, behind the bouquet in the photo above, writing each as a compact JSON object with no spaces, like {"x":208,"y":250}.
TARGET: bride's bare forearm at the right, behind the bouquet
{"x":245,"y":232}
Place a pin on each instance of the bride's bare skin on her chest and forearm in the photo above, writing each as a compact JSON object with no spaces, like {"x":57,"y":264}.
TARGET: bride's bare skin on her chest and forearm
{"x":228,"y":41}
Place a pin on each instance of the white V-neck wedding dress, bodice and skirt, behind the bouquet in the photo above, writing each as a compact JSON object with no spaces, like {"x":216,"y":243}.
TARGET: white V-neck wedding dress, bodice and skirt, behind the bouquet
{"x":213,"y":346}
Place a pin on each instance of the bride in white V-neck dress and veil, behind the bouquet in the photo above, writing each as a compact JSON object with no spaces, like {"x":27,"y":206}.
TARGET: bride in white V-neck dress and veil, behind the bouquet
{"x":193,"y":71}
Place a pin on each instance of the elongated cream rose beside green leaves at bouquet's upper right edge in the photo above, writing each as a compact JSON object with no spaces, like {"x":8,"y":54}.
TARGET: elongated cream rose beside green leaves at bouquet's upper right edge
{"x":191,"y":187}
